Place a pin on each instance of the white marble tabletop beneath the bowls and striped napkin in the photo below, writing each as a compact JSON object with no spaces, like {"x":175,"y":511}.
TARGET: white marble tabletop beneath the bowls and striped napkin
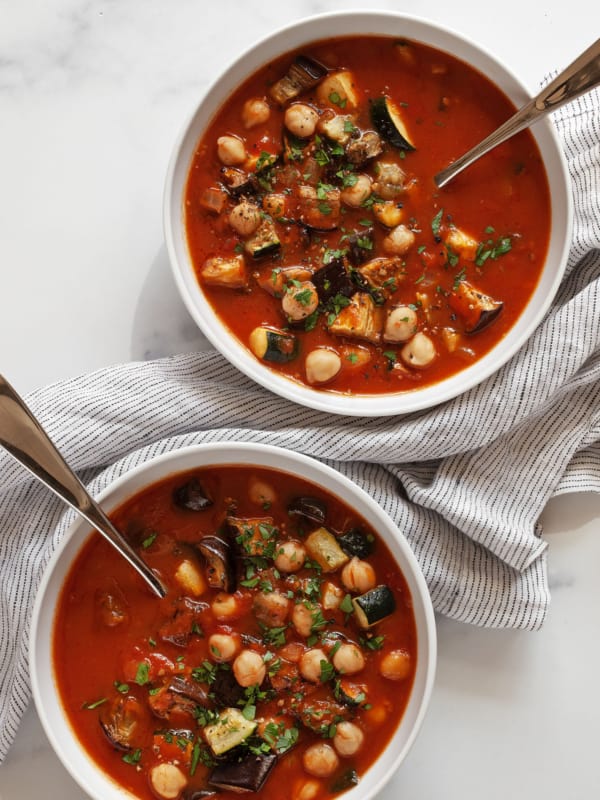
{"x":92,"y":96}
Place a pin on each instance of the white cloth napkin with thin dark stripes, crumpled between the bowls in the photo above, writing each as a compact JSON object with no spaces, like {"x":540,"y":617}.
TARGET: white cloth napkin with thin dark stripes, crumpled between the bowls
{"x":465,"y":481}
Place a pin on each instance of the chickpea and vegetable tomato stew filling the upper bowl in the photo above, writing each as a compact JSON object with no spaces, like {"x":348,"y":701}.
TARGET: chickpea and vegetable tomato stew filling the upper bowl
{"x":319,"y":237}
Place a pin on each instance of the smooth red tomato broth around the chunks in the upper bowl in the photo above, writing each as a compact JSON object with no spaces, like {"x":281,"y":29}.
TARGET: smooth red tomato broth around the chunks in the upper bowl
{"x":507,"y":190}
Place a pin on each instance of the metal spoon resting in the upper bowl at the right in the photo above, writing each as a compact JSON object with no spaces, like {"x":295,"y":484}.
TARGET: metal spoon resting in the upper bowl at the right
{"x":577,"y":79}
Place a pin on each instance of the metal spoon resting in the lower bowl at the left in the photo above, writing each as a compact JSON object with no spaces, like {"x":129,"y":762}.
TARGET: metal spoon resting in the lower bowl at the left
{"x":25,"y":439}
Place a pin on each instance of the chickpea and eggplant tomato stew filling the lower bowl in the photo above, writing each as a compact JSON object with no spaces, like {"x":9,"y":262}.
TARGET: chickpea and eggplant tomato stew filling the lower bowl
{"x":283,"y":655}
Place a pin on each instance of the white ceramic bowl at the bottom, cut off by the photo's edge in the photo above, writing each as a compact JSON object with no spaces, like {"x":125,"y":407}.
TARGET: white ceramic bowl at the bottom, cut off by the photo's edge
{"x":54,"y":720}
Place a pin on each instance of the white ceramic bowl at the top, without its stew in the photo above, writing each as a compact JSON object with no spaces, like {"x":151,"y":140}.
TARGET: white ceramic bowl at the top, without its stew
{"x":335,"y":25}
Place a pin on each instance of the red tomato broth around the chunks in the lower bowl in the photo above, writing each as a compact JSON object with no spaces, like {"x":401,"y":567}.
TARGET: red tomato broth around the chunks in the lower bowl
{"x":90,"y":658}
